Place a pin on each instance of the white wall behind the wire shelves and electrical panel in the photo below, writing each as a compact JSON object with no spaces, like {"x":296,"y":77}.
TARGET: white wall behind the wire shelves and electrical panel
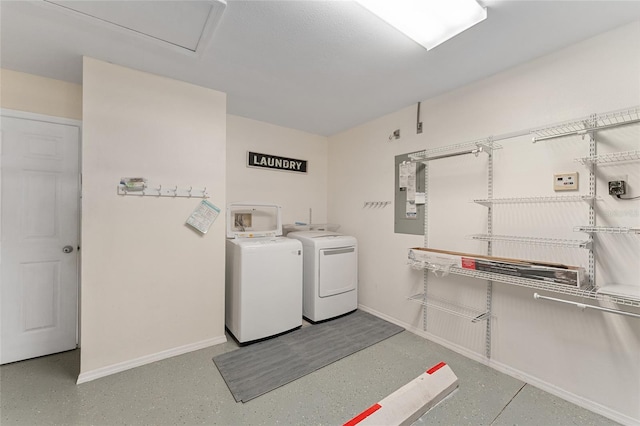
{"x":588,"y":357}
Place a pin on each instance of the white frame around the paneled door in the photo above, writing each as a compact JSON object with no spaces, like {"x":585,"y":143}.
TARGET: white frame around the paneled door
{"x":4,"y":112}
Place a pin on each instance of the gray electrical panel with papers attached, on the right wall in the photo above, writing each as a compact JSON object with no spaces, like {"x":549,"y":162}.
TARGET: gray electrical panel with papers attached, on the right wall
{"x":405,"y":220}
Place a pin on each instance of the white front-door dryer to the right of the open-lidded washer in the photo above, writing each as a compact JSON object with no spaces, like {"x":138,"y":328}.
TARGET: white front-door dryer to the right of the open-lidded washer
{"x":330,"y":274}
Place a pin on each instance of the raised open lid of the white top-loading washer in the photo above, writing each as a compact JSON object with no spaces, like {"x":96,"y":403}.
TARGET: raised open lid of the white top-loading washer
{"x":265,"y":220}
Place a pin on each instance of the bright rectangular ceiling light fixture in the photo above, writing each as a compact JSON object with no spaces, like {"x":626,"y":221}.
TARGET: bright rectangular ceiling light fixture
{"x":428,"y":22}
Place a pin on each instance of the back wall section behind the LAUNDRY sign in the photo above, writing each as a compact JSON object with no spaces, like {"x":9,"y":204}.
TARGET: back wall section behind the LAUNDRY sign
{"x":295,"y":192}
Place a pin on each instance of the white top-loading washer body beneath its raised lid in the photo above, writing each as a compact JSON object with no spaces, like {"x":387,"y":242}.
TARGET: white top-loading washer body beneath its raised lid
{"x":263,"y":284}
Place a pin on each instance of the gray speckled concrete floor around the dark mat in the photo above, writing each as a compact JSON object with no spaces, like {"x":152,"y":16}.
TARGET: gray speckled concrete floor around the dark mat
{"x":188,"y":390}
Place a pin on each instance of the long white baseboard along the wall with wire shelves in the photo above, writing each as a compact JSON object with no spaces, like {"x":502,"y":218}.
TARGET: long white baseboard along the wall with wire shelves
{"x":515,"y":373}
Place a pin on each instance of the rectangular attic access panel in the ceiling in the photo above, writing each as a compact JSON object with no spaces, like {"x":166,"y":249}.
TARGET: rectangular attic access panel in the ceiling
{"x":183,"y":24}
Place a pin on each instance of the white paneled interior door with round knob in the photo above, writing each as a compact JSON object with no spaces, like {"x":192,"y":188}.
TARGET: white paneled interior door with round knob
{"x":39,"y":238}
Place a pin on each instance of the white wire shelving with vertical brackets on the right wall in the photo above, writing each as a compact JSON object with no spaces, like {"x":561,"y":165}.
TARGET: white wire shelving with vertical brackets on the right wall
{"x":585,"y":127}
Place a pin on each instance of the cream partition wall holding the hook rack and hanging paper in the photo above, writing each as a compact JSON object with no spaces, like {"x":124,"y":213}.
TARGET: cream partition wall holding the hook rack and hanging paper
{"x":152,"y":287}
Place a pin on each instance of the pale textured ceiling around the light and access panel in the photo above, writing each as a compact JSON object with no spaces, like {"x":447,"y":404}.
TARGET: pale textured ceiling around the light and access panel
{"x":317,"y":66}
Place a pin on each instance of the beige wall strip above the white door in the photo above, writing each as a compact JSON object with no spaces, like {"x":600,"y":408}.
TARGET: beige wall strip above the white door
{"x":31,"y":93}
